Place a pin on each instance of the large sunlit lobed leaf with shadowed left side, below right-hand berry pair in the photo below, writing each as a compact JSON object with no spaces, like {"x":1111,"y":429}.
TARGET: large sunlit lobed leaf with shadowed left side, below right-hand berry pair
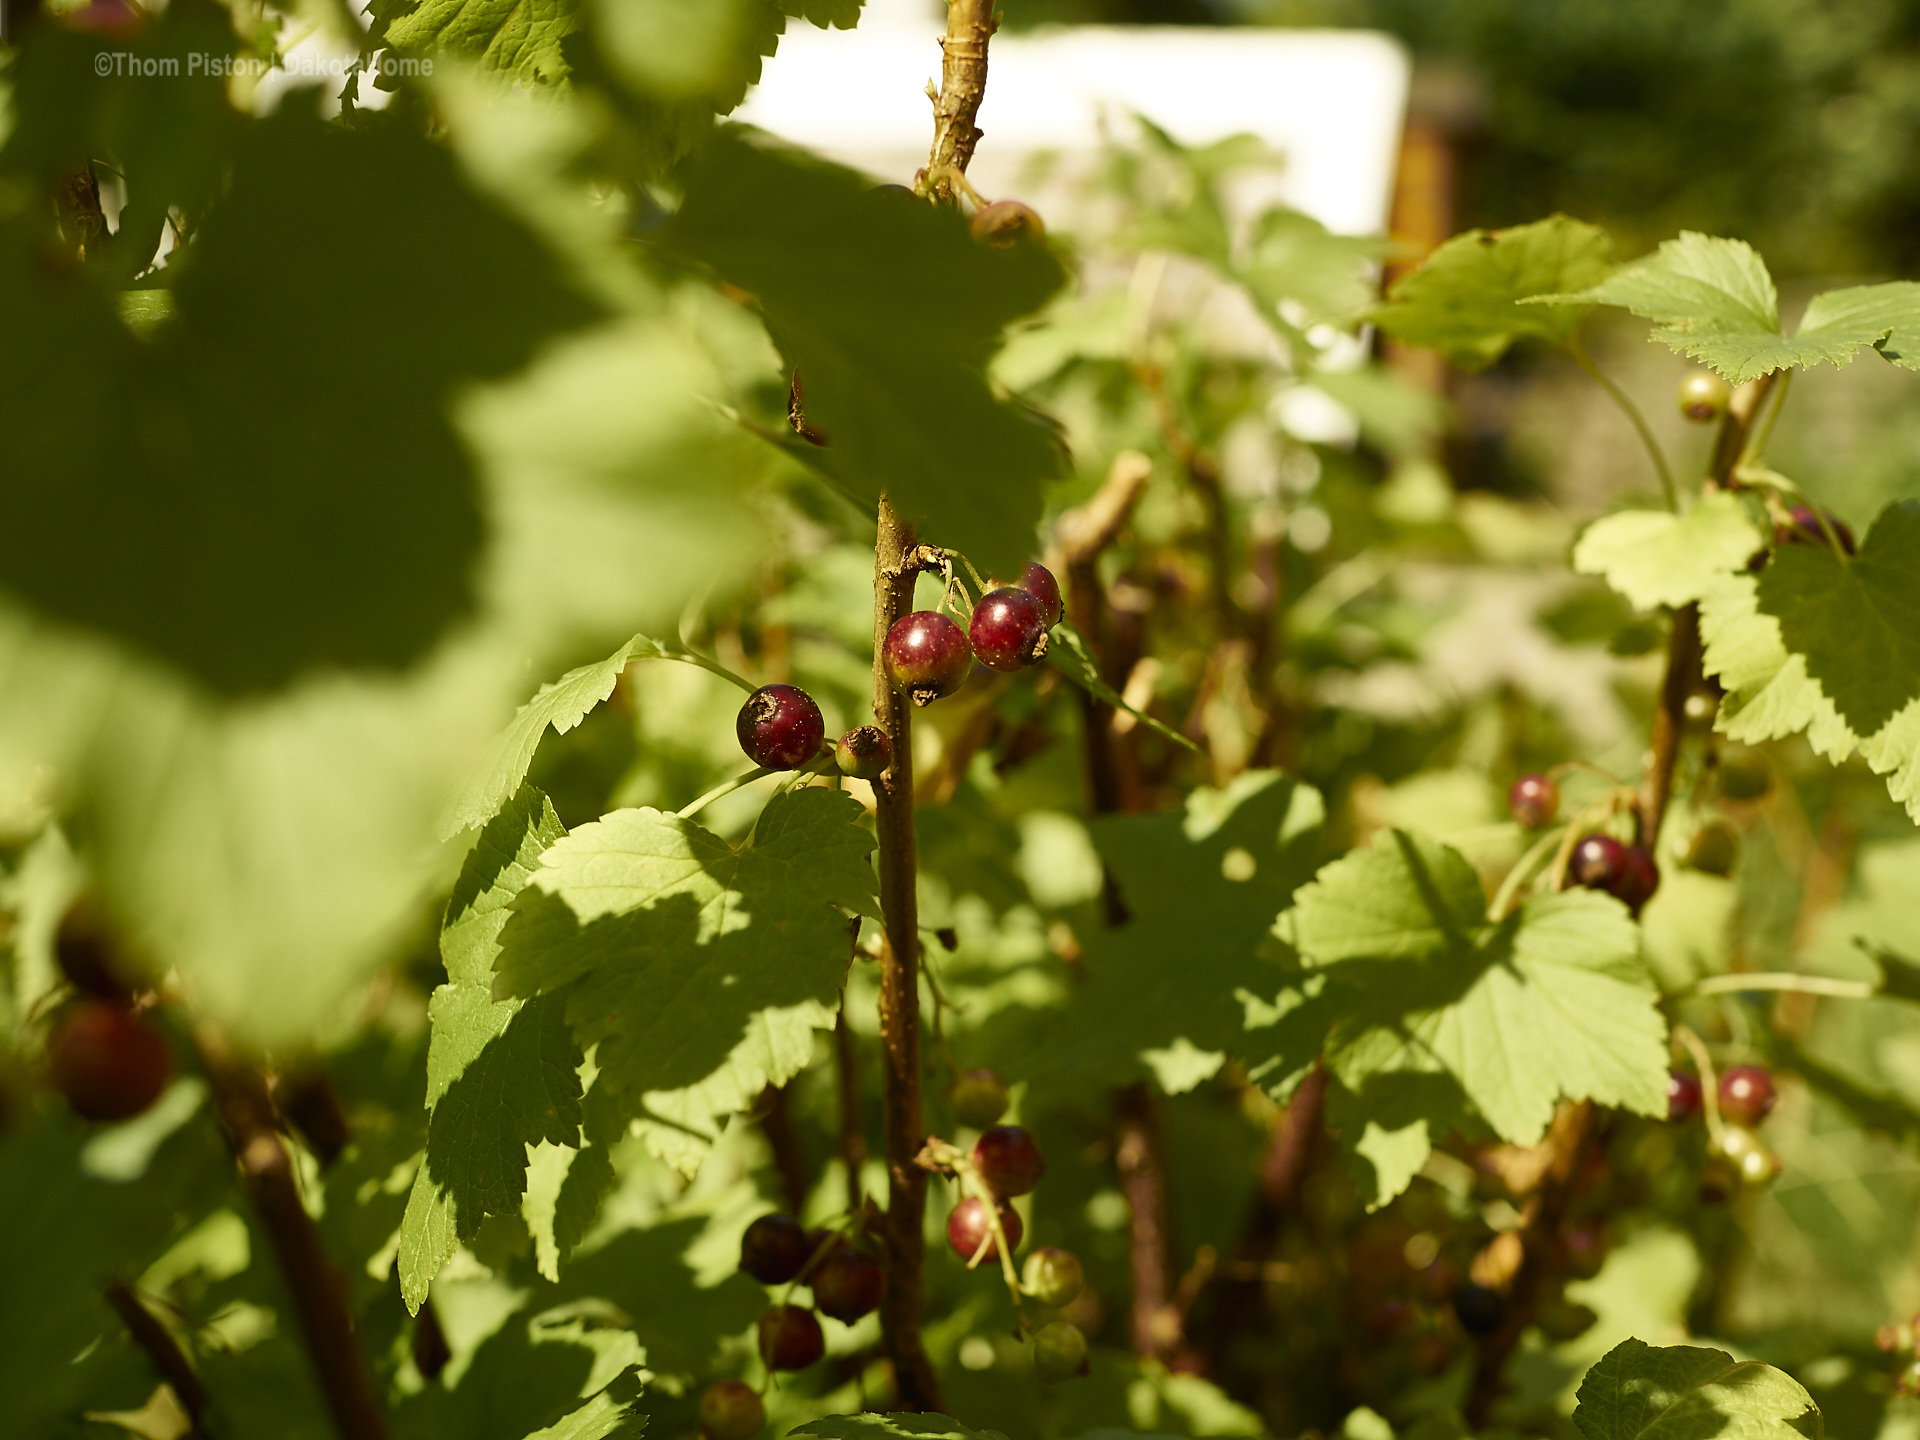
{"x":1428,"y":1007}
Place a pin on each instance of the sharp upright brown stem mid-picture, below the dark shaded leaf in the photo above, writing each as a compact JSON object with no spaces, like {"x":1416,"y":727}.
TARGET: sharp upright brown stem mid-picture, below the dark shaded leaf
{"x":896,"y":567}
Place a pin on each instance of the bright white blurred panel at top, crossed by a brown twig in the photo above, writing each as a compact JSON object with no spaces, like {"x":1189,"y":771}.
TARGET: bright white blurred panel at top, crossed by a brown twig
{"x":1330,"y":101}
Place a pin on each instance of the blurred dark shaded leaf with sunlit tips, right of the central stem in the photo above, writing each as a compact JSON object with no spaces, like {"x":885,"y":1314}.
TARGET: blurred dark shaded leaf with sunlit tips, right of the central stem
{"x":1203,"y":884}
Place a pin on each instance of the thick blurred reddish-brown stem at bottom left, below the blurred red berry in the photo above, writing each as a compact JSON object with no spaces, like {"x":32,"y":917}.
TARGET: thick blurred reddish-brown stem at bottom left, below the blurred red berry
{"x":318,"y":1289}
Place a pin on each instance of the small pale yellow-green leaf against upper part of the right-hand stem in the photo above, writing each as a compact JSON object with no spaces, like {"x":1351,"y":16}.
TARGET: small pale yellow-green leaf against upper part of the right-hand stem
{"x":1669,"y":560}
